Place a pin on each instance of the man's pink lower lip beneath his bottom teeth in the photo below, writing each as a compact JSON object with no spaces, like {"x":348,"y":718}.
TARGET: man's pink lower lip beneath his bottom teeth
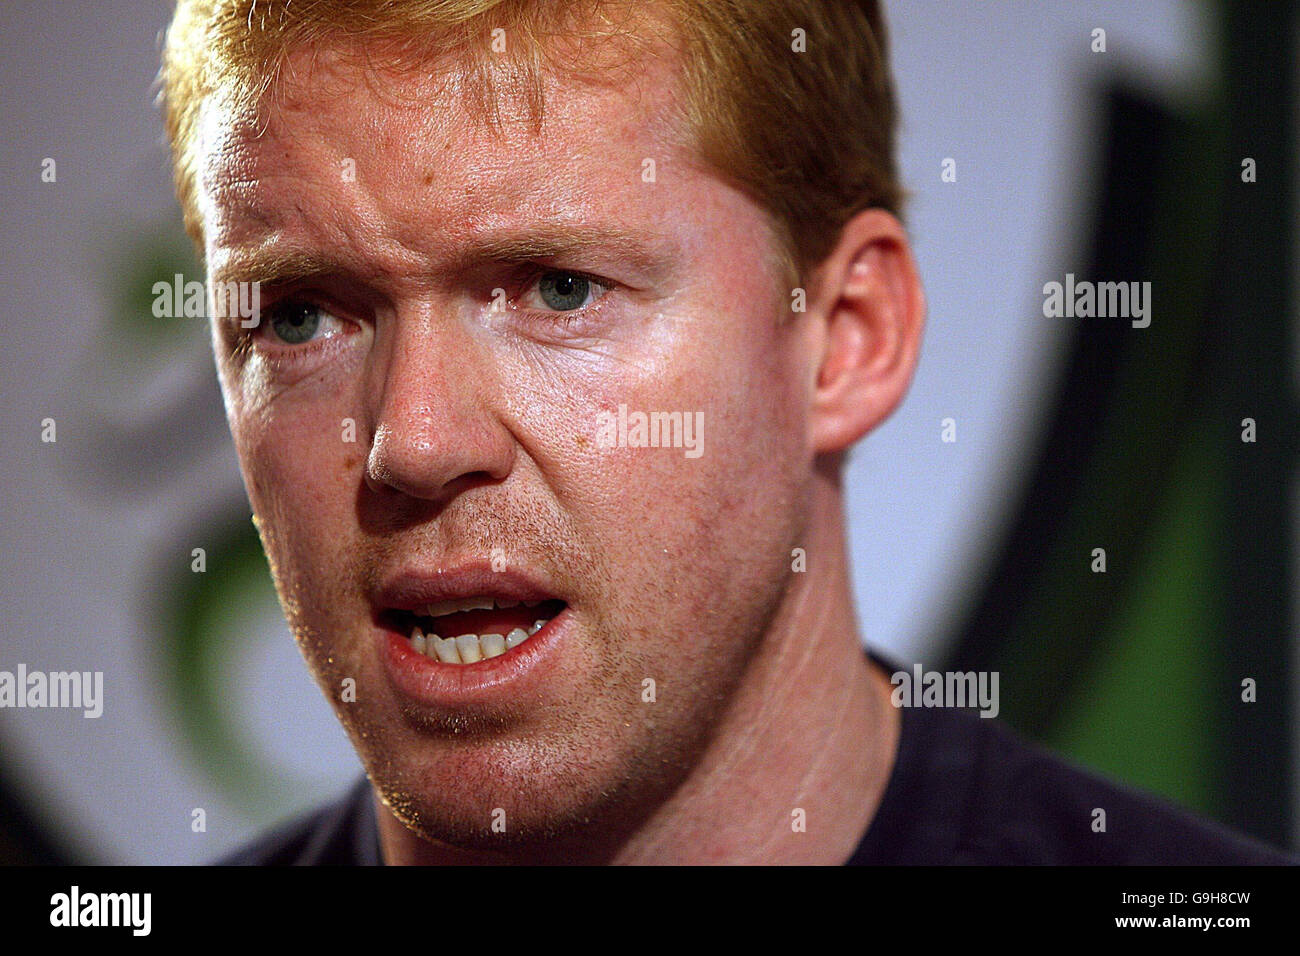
{"x":426,"y":681}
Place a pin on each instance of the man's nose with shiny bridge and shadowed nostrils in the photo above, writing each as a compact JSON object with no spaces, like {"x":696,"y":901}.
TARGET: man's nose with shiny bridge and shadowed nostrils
{"x":436,"y":431}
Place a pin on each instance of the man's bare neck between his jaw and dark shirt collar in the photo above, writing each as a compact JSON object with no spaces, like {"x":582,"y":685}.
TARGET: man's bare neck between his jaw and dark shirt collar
{"x":801,"y":758}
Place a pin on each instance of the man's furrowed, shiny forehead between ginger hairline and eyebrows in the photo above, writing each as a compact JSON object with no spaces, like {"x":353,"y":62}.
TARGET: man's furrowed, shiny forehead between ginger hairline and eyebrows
{"x":344,"y":146}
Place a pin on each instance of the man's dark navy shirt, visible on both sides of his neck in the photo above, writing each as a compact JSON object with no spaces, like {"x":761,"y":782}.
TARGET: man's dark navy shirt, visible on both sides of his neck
{"x":964,"y":790}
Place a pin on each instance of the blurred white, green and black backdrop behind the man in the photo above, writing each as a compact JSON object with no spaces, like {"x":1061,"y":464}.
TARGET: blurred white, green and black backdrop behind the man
{"x":1125,"y":165}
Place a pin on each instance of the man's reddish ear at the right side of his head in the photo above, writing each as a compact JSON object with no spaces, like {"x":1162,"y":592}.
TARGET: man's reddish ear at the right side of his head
{"x":870,"y":309}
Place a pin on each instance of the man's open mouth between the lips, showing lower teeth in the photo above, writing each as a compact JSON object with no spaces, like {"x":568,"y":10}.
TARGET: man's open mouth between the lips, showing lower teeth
{"x":471,"y":630}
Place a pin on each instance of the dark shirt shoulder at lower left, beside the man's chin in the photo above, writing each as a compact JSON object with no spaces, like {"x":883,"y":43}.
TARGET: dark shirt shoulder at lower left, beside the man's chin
{"x":340,"y":833}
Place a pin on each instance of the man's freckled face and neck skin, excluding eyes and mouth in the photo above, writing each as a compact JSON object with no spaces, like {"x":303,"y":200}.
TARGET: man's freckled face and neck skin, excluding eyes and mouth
{"x":475,"y":431}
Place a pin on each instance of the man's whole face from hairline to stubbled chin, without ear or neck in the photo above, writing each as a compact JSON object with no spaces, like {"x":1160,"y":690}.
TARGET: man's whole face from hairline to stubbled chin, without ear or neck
{"x":419,"y":419}
